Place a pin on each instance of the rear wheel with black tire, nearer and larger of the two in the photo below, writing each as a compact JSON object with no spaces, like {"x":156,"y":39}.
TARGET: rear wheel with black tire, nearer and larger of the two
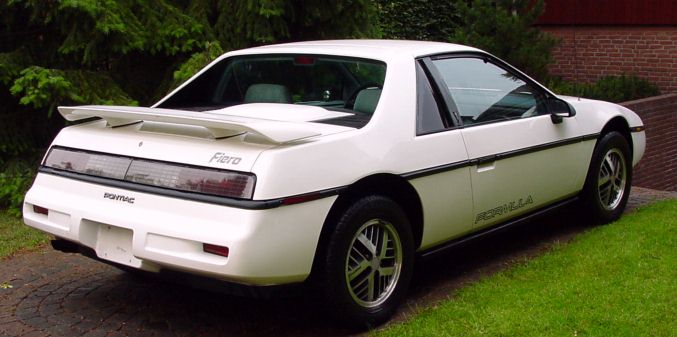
{"x":346,"y":300}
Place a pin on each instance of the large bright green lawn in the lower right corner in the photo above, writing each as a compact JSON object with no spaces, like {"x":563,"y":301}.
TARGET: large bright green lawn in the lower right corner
{"x":613,"y":280}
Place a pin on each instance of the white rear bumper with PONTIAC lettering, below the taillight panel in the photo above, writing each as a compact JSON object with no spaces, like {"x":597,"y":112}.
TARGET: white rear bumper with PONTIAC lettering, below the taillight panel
{"x":266,"y":247}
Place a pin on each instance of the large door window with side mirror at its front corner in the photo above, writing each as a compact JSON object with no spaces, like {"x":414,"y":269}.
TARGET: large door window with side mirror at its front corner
{"x":484,"y":92}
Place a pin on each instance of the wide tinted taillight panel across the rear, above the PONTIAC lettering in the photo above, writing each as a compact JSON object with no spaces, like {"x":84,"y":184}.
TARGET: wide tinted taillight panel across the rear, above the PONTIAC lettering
{"x":154,"y":173}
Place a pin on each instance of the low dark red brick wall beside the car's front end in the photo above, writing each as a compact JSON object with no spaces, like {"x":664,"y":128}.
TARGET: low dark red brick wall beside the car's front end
{"x":658,"y":167}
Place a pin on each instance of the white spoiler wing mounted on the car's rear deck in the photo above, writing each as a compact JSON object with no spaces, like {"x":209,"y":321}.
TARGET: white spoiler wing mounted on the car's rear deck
{"x":218,"y":125}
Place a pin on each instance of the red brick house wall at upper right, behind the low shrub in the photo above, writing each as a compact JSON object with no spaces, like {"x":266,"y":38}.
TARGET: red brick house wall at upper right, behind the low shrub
{"x":647,"y":51}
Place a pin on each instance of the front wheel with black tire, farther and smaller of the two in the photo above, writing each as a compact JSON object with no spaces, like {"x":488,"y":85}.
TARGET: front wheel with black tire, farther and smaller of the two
{"x":600,"y":206}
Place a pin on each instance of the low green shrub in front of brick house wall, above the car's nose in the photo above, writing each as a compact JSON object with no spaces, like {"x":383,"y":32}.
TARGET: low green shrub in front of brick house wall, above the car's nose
{"x":612,"y":88}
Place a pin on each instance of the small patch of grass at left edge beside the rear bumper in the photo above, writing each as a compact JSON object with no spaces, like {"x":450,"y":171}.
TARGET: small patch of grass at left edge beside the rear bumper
{"x":15,"y":236}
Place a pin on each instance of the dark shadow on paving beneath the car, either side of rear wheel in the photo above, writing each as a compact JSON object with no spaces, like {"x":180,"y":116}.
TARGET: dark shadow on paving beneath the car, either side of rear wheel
{"x":187,"y":311}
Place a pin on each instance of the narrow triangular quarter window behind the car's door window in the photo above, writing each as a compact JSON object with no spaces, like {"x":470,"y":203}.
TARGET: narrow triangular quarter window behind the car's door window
{"x":428,"y":118}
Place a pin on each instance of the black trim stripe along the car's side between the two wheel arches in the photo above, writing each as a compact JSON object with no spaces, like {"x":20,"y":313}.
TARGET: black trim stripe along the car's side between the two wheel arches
{"x":494,"y":157}
